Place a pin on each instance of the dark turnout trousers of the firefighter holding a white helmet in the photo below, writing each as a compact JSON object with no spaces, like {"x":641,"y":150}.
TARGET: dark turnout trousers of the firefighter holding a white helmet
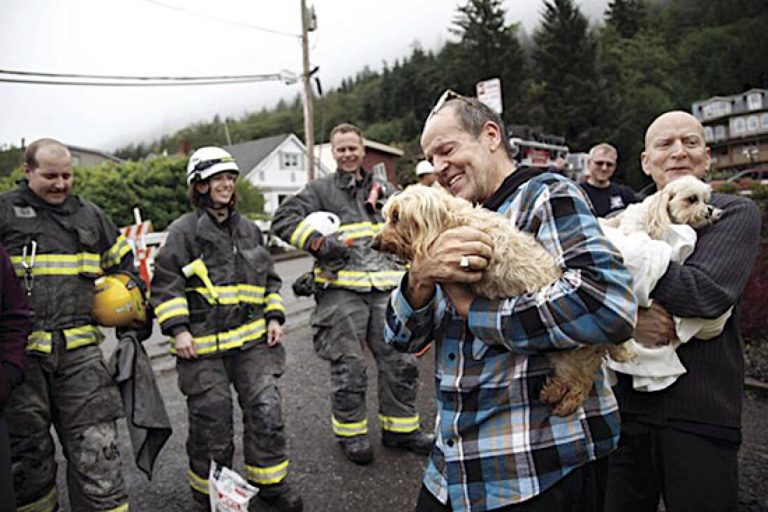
{"x":344,"y":323}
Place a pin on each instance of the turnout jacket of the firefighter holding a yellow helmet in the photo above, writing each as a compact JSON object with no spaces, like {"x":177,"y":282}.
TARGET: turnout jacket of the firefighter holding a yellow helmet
{"x":58,"y":251}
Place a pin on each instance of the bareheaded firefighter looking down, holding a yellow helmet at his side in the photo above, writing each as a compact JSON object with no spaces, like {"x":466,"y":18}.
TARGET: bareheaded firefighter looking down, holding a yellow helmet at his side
{"x":59,"y":244}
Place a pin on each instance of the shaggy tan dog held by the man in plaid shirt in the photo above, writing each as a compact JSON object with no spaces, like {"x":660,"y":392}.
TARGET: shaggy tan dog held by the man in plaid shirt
{"x":519,"y":264}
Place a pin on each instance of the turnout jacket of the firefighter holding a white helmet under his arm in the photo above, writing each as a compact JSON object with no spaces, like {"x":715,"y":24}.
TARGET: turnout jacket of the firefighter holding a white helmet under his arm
{"x":366,"y":269}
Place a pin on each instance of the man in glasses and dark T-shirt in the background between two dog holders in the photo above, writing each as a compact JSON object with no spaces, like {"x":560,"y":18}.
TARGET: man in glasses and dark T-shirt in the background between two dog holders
{"x":607,"y":197}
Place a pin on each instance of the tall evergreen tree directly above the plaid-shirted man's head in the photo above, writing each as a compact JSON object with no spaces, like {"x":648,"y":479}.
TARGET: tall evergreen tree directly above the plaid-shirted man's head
{"x":488,"y":48}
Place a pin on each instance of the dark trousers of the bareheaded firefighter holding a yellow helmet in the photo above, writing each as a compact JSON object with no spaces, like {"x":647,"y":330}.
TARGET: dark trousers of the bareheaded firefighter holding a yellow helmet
{"x":72,"y":390}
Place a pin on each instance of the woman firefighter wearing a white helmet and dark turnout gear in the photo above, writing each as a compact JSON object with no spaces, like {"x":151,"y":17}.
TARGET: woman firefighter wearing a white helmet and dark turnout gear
{"x":216,"y":292}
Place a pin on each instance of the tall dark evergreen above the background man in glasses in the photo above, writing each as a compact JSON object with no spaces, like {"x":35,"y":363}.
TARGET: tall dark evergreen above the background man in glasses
{"x":565,"y":67}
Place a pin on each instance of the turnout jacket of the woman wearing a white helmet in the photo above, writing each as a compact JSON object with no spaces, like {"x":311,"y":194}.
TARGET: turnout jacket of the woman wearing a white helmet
{"x":216,"y":280}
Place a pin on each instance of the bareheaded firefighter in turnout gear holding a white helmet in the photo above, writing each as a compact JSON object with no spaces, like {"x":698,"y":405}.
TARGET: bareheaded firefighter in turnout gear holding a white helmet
{"x":353,"y":282}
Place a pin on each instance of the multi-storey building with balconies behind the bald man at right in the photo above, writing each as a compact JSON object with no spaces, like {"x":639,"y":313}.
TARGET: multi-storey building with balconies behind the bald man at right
{"x":736,"y":129}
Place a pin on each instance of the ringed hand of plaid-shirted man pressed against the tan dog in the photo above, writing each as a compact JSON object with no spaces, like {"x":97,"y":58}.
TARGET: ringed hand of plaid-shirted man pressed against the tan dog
{"x":456,"y":258}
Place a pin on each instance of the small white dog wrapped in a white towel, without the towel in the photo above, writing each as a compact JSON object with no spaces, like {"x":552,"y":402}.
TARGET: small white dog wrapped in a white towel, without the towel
{"x":682,"y":201}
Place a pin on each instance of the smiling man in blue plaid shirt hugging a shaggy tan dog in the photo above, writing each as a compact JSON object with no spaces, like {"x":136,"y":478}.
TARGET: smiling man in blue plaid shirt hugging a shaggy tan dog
{"x":498,"y":447}
